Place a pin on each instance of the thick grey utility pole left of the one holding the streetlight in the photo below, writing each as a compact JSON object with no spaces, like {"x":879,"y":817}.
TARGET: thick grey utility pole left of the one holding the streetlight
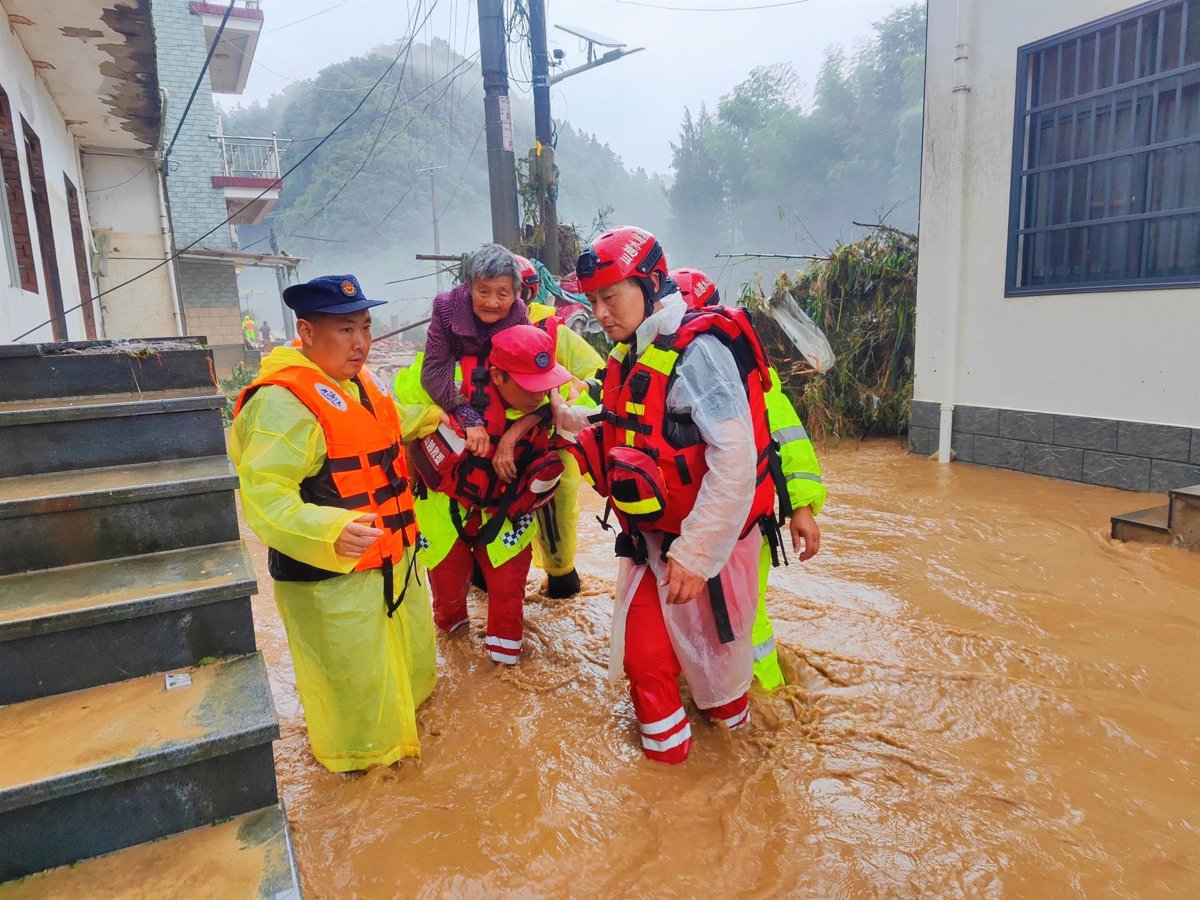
{"x":502,"y":173}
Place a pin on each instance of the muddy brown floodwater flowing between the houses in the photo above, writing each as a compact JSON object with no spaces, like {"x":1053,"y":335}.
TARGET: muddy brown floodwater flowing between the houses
{"x":989,"y":699}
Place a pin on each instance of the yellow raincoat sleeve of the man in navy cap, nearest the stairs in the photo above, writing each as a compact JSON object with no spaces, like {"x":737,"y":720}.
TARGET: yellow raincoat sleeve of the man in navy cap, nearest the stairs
{"x":275,"y":443}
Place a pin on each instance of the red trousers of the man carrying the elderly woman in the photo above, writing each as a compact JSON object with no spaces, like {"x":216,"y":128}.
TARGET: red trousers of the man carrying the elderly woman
{"x":451,"y":583}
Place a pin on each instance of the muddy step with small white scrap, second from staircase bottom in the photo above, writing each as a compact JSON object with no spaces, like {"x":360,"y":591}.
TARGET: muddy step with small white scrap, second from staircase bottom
{"x":95,"y":771}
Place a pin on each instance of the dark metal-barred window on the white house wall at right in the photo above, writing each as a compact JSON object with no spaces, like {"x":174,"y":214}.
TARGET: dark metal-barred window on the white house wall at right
{"x":1022,"y":136}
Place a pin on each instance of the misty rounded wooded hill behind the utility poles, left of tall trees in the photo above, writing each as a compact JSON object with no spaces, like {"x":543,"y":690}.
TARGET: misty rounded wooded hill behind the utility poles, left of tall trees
{"x":362,"y":201}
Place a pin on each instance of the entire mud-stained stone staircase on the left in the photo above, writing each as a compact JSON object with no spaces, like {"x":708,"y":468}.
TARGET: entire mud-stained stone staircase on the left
{"x":134,"y":706}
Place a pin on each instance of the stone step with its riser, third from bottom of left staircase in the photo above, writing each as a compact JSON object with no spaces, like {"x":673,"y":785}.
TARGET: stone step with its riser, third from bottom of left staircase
{"x":82,"y":626}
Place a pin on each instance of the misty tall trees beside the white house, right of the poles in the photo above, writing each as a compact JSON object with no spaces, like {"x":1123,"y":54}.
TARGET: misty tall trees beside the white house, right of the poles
{"x":769,"y":171}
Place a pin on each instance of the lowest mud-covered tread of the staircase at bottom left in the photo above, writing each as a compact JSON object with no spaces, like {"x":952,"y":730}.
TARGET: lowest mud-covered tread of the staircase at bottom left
{"x":248,"y":857}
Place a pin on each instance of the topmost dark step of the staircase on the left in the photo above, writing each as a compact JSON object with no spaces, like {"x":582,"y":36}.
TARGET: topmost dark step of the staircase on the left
{"x":81,"y":369}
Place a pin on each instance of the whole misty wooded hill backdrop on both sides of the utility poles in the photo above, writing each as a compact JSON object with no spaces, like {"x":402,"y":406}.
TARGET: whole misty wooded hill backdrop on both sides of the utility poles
{"x":777,"y":167}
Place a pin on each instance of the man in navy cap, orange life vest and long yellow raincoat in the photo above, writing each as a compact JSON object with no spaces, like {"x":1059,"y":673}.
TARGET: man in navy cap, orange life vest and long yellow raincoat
{"x":316,"y":442}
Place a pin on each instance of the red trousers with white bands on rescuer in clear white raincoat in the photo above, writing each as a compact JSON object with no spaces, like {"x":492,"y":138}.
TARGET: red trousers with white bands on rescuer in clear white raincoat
{"x":653,"y":671}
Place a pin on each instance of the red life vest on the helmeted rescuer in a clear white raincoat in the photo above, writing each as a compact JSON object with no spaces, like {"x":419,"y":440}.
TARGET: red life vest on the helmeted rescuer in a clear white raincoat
{"x":637,"y":418}
